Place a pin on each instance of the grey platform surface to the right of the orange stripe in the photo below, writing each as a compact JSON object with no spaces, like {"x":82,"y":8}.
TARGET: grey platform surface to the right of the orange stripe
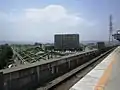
{"x":113,"y":82}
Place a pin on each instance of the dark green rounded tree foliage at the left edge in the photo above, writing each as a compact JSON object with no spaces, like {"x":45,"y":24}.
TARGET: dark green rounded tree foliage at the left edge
{"x":5,"y":55}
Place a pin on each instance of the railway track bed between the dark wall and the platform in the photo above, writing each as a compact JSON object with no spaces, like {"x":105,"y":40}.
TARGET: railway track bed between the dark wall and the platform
{"x":67,"y":80}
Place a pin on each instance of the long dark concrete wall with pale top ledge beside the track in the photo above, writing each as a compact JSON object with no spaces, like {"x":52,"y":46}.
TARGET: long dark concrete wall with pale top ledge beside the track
{"x":28,"y":77}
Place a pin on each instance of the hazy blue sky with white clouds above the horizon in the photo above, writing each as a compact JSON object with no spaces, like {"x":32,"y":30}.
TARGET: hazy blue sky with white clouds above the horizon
{"x":39,"y":20}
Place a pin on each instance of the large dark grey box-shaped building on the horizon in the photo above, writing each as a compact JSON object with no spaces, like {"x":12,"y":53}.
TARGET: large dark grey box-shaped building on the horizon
{"x":66,"y":41}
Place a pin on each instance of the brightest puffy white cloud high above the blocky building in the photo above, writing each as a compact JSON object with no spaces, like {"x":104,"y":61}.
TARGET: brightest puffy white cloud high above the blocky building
{"x":49,"y":13}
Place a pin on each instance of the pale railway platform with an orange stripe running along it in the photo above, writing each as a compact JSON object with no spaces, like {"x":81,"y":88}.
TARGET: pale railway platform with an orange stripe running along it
{"x":105,"y":76}
